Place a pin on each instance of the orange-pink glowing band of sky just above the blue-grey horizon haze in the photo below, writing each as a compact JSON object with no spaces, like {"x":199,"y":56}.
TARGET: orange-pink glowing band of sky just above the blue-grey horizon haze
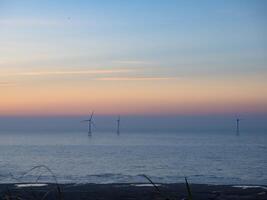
{"x":172,"y":96}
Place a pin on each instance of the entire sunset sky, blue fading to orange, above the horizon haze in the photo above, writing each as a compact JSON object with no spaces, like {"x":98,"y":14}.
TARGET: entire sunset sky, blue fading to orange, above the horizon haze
{"x":154,"y":58}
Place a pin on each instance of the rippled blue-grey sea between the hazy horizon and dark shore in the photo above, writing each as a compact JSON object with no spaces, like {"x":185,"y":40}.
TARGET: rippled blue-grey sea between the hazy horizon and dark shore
{"x":212,"y":158}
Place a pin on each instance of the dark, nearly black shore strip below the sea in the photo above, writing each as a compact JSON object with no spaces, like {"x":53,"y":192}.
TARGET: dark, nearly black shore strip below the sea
{"x":124,"y":191}
